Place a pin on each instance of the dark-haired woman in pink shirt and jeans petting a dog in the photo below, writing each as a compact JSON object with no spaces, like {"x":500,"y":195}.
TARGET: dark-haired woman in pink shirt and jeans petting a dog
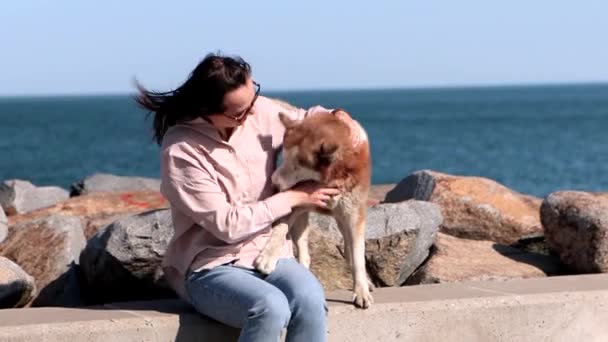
{"x":219,"y":141}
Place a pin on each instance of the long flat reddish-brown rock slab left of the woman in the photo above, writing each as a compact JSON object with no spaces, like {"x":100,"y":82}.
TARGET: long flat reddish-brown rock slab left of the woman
{"x":98,"y":210}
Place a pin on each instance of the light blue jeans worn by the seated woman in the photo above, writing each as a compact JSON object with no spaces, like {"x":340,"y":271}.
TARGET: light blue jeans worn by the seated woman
{"x":261,"y":305}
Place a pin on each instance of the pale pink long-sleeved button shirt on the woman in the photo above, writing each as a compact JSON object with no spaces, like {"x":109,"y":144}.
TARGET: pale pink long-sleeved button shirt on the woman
{"x":222,"y":200}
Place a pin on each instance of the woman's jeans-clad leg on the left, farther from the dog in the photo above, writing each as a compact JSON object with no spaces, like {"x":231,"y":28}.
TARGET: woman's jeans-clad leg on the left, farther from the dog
{"x":239,"y":298}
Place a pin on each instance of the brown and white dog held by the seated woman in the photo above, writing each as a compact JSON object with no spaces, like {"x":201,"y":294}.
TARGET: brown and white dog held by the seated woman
{"x":333,"y":149}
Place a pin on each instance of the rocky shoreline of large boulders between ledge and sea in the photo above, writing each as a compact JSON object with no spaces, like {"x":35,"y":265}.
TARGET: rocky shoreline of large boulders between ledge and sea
{"x":102,"y":240}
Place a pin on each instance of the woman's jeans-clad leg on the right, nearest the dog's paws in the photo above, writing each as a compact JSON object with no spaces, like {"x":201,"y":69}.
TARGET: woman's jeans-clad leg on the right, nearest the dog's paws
{"x":306,"y":301}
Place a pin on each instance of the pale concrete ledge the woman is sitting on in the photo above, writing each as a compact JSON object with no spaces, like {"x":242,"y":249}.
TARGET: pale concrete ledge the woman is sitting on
{"x":546,"y":309}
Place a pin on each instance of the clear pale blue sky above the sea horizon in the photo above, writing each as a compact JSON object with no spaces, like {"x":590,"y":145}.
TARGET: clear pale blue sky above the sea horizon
{"x":75,"y":46}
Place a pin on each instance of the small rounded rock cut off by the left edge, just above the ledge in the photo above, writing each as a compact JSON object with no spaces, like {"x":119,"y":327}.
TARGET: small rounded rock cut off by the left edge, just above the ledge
{"x":17,"y":288}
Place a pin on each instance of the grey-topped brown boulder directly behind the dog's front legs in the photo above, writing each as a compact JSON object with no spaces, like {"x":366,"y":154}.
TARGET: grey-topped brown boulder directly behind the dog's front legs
{"x":398,"y":238}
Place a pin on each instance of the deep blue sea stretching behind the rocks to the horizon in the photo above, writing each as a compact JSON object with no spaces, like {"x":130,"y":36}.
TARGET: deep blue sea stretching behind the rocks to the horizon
{"x":533,"y":139}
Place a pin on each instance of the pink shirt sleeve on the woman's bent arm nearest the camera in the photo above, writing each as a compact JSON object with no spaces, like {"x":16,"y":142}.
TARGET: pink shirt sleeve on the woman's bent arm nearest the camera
{"x":191,"y":189}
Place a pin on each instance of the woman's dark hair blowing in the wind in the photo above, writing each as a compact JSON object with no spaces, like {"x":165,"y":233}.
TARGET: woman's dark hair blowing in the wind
{"x":201,"y":95}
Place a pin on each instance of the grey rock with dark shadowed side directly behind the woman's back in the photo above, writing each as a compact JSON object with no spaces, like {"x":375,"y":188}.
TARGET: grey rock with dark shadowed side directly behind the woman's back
{"x":123,"y":262}
